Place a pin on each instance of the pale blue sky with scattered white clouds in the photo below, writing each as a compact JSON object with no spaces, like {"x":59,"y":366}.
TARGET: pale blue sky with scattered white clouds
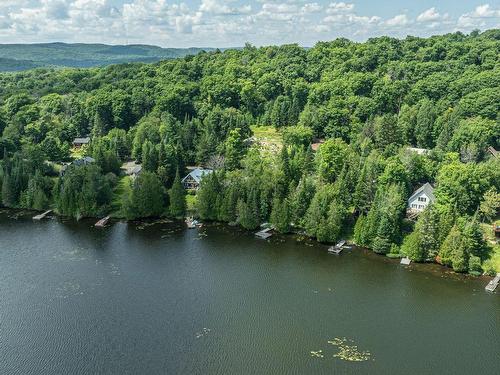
{"x":231,"y":23}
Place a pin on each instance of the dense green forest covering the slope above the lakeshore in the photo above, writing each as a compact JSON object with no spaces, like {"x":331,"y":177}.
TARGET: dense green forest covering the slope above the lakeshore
{"x":367,"y":103}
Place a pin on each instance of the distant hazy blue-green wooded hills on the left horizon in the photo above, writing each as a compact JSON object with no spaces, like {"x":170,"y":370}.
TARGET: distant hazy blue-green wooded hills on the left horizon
{"x":16,"y":57}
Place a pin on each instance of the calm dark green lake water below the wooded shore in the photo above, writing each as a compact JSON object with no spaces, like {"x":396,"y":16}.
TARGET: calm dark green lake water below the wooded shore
{"x":162,"y":299}
